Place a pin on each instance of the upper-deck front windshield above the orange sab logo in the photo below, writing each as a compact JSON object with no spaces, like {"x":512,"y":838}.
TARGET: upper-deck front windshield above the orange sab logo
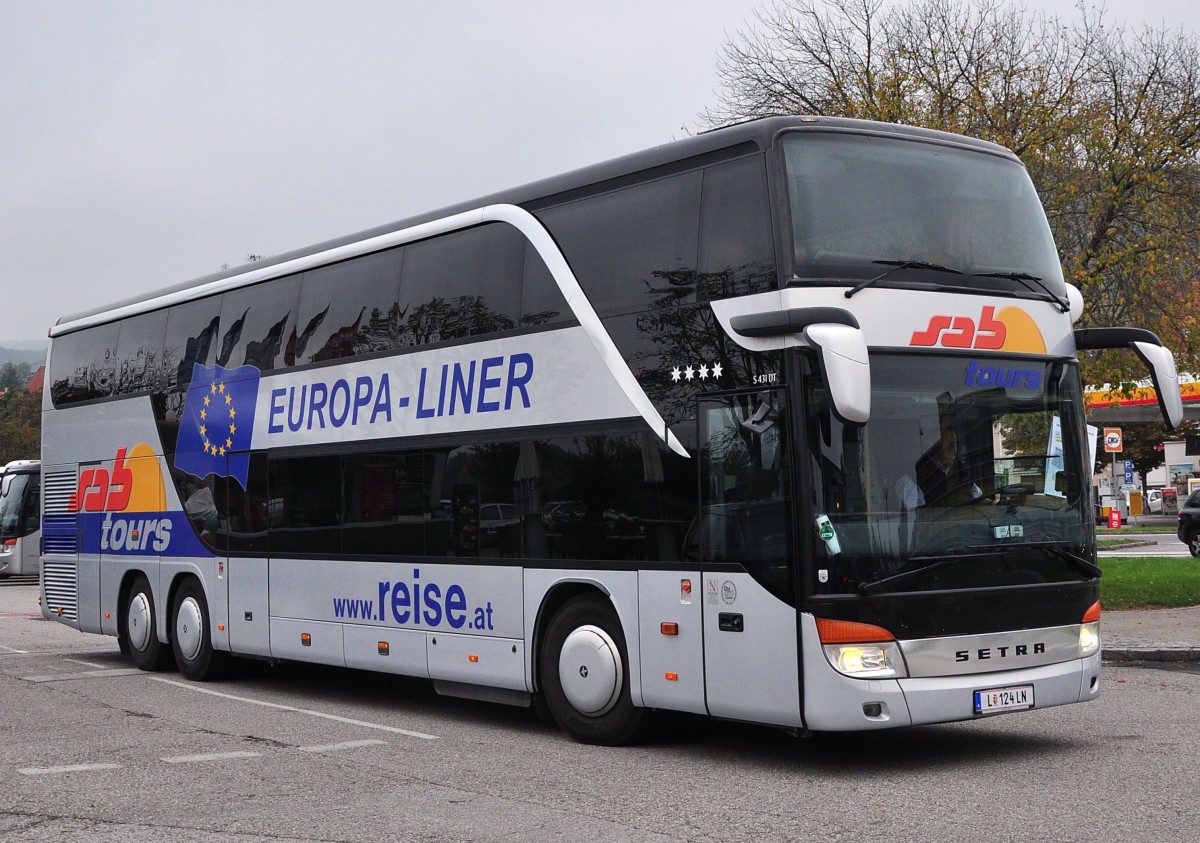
{"x":865,"y":206}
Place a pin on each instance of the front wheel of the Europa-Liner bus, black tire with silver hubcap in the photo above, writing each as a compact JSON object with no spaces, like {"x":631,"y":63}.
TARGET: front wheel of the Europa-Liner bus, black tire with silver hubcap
{"x":585,"y":644}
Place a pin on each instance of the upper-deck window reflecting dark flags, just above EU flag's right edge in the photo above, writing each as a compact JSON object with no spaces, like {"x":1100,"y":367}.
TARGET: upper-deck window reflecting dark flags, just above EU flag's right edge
{"x":256,"y":325}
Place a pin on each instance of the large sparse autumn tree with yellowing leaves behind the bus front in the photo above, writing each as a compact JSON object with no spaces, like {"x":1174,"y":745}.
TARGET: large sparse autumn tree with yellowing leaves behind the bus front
{"x":1107,"y":121}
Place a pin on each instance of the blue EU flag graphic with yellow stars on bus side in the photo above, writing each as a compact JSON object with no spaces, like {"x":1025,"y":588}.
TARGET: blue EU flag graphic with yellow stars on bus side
{"x":218,"y":423}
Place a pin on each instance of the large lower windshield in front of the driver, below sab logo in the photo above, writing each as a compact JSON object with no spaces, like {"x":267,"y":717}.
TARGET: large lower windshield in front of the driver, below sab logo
{"x":969,"y":475}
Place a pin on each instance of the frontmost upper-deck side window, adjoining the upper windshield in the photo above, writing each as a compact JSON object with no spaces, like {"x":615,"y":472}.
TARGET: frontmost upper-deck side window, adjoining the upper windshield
{"x":736,"y":252}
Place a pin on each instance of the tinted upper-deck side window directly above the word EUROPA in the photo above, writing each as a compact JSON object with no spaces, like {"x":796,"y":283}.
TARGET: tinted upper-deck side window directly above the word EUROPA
{"x":347,"y":309}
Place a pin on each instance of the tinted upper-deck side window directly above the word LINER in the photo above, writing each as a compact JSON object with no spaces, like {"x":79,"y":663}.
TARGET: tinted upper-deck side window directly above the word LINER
{"x":465,"y":284}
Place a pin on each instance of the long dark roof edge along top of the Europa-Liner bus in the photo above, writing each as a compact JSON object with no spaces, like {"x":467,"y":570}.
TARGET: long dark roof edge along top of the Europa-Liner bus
{"x":709,"y":147}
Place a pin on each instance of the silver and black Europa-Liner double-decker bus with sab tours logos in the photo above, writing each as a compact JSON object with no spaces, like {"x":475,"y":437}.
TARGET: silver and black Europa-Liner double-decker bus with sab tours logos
{"x":781,"y":423}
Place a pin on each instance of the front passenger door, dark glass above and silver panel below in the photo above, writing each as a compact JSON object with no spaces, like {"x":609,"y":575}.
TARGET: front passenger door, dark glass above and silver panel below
{"x":743,"y":541}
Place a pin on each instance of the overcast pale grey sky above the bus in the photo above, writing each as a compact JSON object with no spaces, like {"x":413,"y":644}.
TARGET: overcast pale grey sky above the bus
{"x":147,"y":144}
